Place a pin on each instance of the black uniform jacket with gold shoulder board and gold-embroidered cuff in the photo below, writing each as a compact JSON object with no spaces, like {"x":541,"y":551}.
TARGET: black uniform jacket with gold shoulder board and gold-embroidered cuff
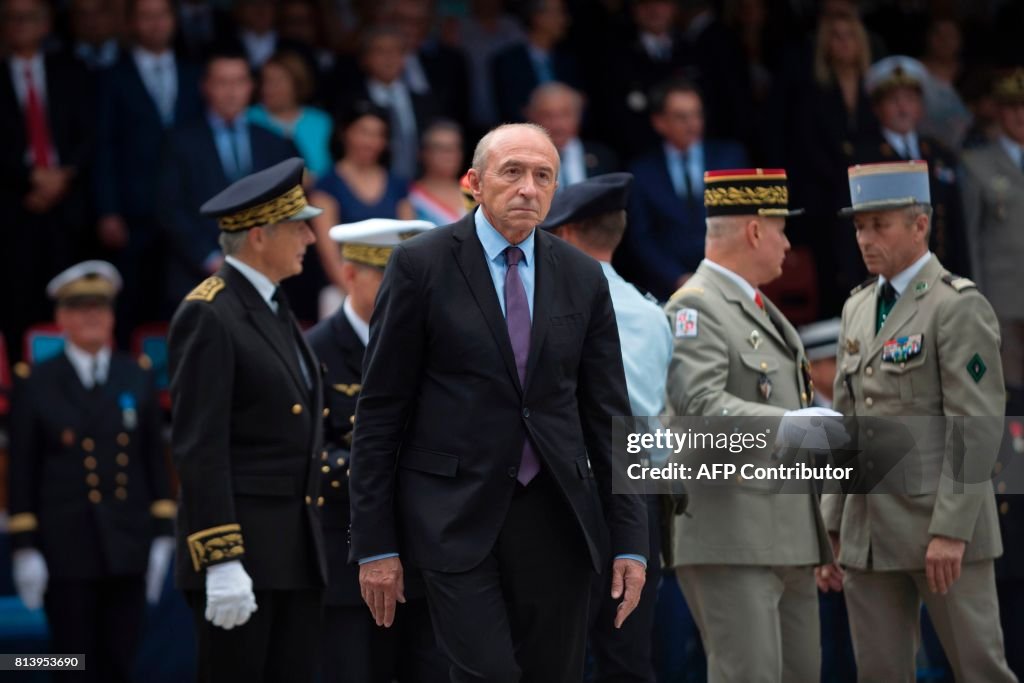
{"x":246,"y":439}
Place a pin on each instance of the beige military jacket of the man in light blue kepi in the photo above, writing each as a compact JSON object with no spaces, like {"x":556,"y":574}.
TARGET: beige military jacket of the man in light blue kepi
{"x":949,"y":366}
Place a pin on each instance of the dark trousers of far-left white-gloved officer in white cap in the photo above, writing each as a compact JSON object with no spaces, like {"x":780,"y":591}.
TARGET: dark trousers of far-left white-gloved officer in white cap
{"x":101,"y":619}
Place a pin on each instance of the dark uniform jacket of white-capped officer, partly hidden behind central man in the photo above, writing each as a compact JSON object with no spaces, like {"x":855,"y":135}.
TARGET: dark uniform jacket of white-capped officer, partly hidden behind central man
{"x":342,"y":352}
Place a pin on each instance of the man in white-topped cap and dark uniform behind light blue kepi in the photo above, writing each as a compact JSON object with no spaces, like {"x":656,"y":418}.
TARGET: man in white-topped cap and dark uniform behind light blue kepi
{"x":897,"y":88}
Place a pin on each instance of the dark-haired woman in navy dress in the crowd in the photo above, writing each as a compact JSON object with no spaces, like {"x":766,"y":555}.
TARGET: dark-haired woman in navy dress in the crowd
{"x":360,"y":186}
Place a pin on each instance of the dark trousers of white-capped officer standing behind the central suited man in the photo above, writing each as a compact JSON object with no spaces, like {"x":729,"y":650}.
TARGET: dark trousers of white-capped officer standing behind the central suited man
{"x":357,"y":651}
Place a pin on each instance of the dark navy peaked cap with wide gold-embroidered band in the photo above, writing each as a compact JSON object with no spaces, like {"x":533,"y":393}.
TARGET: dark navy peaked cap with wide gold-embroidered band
{"x":269,"y":197}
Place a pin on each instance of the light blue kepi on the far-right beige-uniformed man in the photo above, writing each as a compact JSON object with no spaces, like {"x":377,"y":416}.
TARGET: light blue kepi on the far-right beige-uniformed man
{"x":887,"y":186}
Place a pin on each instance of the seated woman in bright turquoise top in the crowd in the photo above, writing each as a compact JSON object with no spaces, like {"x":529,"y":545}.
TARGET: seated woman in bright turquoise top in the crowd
{"x":285,"y":84}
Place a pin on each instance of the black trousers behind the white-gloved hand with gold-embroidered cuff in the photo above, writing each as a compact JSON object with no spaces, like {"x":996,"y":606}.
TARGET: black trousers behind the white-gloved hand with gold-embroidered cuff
{"x":280,"y":643}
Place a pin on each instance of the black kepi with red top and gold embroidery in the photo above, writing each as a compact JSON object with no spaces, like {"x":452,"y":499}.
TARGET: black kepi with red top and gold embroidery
{"x":748,"y":192}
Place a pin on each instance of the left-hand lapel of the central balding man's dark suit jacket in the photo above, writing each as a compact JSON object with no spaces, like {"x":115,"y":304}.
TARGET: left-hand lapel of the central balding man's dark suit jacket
{"x":473,"y":262}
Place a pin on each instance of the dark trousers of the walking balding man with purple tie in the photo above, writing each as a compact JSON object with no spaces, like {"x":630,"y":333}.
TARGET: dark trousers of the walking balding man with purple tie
{"x":522,"y":614}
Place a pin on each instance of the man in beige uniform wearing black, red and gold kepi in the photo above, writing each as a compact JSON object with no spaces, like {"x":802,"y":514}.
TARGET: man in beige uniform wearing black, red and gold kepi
{"x":745,"y":558}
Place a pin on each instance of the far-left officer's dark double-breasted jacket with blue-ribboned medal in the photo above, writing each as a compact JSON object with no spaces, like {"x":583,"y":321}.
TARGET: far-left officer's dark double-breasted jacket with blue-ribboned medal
{"x":89,"y":477}
